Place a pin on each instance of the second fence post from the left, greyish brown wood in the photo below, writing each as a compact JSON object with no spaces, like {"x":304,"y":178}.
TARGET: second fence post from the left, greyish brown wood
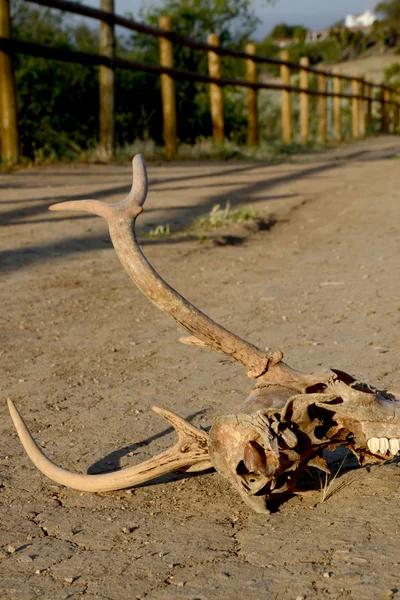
{"x":107,"y":84}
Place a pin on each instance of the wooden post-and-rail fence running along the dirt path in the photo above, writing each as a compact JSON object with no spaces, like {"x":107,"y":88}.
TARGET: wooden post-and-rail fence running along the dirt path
{"x":361,"y":97}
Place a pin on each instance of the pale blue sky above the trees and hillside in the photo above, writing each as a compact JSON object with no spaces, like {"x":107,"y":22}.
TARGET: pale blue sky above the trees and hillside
{"x":315,"y":14}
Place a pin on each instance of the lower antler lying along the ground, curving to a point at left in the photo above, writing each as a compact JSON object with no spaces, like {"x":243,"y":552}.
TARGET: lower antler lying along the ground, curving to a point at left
{"x":189,"y":453}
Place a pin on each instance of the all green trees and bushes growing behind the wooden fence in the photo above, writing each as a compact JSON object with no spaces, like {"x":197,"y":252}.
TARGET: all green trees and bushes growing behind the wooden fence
{"x":58,"y":102}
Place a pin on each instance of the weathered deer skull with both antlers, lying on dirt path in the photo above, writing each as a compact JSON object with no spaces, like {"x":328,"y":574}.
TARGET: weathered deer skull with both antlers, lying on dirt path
{"x":282,"y":427}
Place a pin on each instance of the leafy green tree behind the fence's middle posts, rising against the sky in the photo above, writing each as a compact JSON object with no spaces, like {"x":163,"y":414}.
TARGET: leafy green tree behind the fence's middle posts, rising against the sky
{"x":234,"y":21}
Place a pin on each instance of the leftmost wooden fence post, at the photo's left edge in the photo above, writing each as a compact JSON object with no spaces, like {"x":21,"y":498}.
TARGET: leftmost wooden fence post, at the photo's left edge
{"x":8,"y":96}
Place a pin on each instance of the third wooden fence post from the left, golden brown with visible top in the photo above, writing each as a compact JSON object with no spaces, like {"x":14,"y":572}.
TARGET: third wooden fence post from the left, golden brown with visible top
{"x":168,"y":97}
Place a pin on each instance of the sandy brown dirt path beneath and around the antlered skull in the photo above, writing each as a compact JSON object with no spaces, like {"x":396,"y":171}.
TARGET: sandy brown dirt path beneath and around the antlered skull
{"x":84,"y":355}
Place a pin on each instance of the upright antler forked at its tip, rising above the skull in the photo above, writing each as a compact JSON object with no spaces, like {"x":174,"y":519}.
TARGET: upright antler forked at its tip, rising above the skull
{"x":121,"y":218}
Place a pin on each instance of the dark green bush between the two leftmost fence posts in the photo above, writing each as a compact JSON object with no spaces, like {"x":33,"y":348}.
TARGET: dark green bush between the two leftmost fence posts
{"x":53,"y":120}
